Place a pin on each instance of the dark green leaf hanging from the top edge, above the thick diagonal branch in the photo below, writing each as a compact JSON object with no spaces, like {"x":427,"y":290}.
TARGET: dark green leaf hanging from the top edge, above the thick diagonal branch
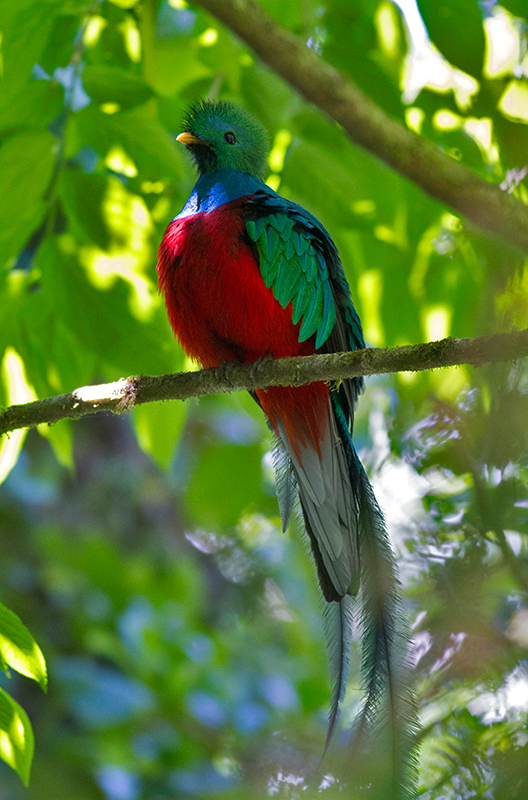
{"x":455,"y":27}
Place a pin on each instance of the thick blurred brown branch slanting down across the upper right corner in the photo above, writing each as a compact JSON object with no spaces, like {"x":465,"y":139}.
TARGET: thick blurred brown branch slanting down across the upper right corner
{"x":366,"y":124}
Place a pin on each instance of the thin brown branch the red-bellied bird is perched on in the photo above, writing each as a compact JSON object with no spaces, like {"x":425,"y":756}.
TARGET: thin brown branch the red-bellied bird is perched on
{"x":121,"y":396}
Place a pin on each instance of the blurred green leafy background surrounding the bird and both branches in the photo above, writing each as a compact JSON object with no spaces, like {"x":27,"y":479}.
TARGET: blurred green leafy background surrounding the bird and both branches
{"x":180,"y":627}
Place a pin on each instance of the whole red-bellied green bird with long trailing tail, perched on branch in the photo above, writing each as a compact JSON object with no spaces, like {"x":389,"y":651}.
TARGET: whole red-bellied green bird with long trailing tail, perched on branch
{"x":248,"y":274}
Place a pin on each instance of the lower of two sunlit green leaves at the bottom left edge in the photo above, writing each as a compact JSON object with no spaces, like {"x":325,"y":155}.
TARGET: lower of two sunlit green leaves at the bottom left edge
{"x":16,"y":736}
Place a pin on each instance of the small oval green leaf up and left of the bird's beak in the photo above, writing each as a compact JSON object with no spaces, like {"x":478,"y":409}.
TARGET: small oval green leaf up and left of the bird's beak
{"x":111,"y":84}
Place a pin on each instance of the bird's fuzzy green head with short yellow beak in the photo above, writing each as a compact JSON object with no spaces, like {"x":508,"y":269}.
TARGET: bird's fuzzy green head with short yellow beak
{"x":222,"y":135}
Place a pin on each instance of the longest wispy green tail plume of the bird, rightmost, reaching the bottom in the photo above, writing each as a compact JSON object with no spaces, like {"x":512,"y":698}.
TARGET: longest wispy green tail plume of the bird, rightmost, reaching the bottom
{"x":384,"y":731}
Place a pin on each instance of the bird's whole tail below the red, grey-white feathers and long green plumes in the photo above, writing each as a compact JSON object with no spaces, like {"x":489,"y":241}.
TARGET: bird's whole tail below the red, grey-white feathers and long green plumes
{"x":382,"y":765}
